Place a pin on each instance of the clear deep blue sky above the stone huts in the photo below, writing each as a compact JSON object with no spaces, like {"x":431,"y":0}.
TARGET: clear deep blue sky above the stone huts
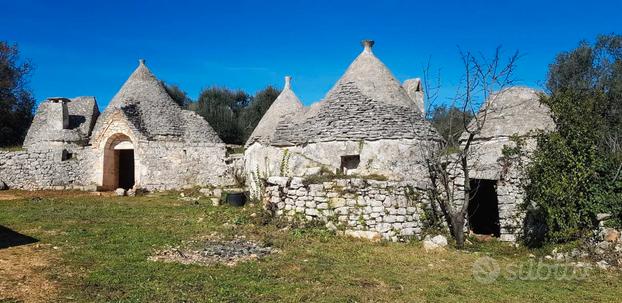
{"x":91,"y":47}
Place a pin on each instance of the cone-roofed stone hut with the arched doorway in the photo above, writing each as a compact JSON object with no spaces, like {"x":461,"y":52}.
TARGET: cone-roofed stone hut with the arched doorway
{"x":144,"y":132}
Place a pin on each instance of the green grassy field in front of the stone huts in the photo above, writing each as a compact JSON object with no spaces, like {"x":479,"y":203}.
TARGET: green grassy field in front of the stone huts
{"x":96,"y":249}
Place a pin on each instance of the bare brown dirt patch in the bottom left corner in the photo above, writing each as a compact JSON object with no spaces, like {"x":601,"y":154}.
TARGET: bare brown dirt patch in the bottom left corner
{"x":23,"y":274}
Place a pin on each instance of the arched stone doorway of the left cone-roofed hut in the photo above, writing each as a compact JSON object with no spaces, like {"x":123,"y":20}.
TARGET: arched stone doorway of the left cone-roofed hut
{"x":119,"y":168}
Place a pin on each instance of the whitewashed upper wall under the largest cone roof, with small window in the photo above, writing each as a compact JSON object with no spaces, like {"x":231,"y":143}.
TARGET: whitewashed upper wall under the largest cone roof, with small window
{"x":397,"y":160}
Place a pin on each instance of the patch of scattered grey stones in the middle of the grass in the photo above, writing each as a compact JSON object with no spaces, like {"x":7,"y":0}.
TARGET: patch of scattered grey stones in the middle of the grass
{"x":212,"y":252}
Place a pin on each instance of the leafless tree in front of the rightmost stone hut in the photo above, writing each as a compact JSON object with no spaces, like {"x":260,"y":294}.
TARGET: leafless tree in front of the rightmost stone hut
{"x":450,"y":171}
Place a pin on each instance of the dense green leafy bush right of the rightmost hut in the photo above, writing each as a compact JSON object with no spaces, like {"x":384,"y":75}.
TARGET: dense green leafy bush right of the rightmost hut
{"x":571,"y":178}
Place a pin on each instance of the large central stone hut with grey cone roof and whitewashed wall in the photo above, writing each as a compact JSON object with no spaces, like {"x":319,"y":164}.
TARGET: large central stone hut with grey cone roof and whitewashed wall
{"x":367,"y":124}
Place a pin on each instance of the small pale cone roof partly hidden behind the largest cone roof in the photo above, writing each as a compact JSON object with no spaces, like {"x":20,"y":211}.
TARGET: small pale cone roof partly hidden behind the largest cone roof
{"x":287,"y":103}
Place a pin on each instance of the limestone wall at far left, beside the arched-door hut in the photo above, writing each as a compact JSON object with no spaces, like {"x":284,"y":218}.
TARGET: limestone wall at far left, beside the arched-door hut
{"x":46,"y":169}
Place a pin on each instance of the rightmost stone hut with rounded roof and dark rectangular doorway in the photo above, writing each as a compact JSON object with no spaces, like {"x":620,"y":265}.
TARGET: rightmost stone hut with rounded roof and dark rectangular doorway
{"x":496,"y":179}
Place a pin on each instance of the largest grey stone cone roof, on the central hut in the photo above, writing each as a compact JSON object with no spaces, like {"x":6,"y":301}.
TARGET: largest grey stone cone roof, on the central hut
{"x":366,"y":103}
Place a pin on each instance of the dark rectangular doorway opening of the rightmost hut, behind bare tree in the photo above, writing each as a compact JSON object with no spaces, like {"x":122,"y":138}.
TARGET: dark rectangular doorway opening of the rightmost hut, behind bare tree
{"x":484,"y":208}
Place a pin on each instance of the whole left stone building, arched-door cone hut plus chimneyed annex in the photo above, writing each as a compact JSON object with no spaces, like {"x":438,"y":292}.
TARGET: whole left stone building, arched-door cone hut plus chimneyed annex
{"x":143,"y":139}
